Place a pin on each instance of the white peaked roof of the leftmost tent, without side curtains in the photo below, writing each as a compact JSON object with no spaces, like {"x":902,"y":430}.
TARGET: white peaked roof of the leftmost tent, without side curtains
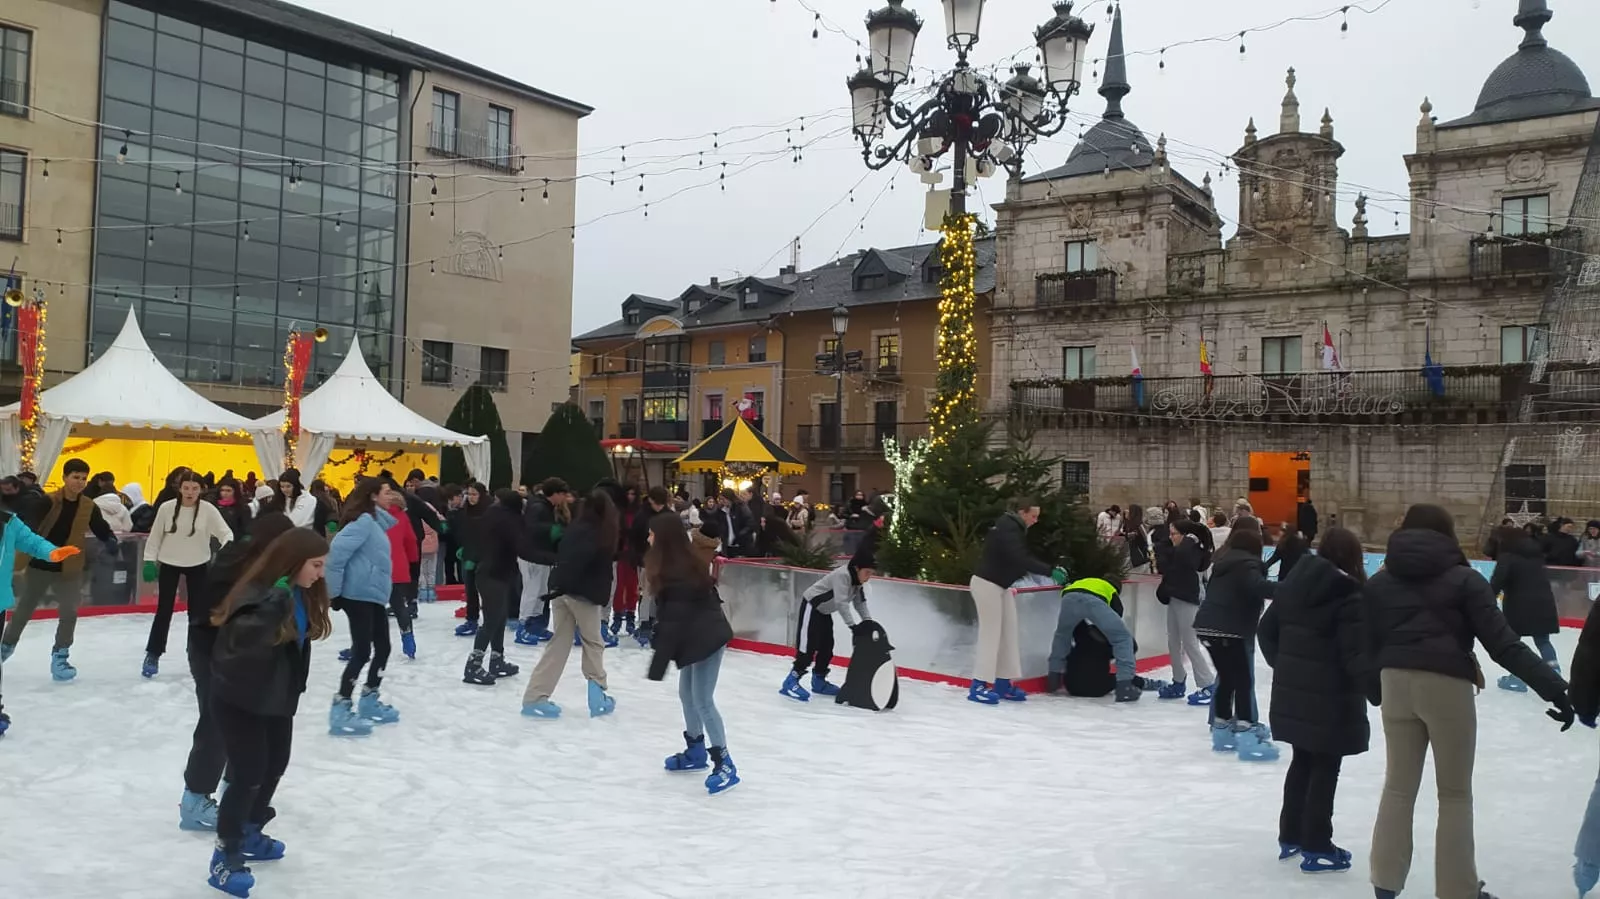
{"x":129,"y":388}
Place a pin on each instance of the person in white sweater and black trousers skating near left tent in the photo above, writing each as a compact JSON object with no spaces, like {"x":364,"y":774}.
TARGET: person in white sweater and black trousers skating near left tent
{"x":180,"y":546}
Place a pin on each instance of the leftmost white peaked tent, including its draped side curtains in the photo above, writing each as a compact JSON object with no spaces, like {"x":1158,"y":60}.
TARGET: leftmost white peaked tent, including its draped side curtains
{"x":126,"y":388}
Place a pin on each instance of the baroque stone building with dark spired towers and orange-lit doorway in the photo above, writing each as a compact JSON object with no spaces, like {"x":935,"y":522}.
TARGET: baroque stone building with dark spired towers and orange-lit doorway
{"x":1300,"y":356}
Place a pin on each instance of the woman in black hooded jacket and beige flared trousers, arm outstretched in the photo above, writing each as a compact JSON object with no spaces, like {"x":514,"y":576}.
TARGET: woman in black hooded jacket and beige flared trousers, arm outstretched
{"x":1423,"y":613}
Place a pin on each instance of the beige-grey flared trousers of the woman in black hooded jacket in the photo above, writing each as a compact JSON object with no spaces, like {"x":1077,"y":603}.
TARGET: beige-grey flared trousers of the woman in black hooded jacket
{"x":1428,"y":711}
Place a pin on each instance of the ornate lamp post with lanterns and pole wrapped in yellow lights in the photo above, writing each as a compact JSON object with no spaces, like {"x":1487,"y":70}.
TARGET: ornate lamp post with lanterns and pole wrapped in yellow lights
{"x":985,"y":126}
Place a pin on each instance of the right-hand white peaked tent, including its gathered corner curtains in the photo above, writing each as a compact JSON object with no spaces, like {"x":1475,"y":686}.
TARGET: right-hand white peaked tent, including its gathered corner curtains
{"x":354,"y":407}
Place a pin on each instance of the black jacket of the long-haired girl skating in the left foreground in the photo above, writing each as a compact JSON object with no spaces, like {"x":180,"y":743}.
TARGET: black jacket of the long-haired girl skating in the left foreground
{"x":249,"y":668}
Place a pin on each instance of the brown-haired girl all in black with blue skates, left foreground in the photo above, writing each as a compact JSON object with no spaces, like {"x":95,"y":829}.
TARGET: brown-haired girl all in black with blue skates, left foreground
{"x":258,"y":674}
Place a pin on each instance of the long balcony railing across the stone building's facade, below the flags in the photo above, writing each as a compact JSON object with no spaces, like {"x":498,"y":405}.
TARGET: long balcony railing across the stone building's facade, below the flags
{"x":1319,"y":394}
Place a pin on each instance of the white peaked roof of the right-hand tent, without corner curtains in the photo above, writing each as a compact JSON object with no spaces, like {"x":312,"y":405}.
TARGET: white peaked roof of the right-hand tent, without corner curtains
{"x":354,"y":406}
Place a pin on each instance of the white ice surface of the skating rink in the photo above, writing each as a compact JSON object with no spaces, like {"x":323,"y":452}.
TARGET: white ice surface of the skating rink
{"x":938,"y":799}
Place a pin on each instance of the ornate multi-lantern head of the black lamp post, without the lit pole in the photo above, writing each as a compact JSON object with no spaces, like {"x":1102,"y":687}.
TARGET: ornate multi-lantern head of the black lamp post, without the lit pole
{"x":969,"y":116}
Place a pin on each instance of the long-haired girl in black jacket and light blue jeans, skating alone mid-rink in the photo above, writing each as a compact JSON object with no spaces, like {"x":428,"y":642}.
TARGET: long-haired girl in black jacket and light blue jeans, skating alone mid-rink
{"x":690,"y":631}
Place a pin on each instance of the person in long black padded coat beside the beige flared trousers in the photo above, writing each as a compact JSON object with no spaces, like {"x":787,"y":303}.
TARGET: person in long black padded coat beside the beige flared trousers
{"x":1313,"y":639}
